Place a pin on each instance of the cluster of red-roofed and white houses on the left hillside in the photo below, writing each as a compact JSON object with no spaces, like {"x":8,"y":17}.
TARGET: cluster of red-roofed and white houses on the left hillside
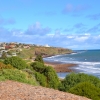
{"x":15,"y":46}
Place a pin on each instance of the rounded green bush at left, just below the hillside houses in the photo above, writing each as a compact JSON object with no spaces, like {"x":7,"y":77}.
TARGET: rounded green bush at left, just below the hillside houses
{"x":16,"y":62}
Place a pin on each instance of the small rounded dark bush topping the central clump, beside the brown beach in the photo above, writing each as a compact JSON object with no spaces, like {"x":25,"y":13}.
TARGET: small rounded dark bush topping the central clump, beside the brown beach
{"x":38,"y":66}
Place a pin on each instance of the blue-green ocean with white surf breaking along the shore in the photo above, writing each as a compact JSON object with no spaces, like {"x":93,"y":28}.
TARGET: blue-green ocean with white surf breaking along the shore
{"x":88,"y":61}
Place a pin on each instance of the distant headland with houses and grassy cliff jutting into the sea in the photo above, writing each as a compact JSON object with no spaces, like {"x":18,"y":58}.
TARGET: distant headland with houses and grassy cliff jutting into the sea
{"x":29,"y":51}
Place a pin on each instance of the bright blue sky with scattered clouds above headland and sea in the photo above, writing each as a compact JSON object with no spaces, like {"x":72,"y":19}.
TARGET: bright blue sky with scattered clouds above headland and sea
{"x":73,"y":24}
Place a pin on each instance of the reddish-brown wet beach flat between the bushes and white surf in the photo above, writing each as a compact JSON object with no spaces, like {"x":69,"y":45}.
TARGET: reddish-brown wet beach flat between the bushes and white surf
{"x":59,"y":67}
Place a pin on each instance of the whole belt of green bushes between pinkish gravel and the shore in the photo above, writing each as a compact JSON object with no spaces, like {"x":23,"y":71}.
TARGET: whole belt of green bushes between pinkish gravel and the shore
{"x":14,"y":68}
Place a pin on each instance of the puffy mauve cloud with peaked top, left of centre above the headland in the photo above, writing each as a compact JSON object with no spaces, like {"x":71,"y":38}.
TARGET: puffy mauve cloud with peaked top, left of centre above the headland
{"x":36,"y":29}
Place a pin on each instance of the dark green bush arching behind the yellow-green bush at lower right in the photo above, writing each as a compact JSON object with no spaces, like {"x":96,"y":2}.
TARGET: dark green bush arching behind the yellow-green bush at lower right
{"x":72,"y":79}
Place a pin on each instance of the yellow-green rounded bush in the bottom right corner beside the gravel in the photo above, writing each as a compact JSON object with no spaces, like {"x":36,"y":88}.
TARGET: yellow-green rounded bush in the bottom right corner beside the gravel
{"x":86,"y":89}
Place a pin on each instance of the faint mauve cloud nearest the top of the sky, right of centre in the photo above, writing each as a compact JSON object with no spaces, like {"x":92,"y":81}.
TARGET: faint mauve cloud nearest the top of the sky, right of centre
{"x":74,"y":9}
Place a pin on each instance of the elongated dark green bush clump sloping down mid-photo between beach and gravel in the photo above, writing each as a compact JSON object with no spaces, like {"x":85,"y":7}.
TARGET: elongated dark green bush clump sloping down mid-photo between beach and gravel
{"x":46,"y":74}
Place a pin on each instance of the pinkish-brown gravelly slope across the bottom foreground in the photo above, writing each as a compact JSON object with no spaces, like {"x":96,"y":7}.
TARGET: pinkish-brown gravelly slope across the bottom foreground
{"x":10,"y":90}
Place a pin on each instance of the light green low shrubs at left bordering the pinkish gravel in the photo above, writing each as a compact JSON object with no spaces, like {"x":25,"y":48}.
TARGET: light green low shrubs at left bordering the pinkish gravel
{"x":17,"y":75}
